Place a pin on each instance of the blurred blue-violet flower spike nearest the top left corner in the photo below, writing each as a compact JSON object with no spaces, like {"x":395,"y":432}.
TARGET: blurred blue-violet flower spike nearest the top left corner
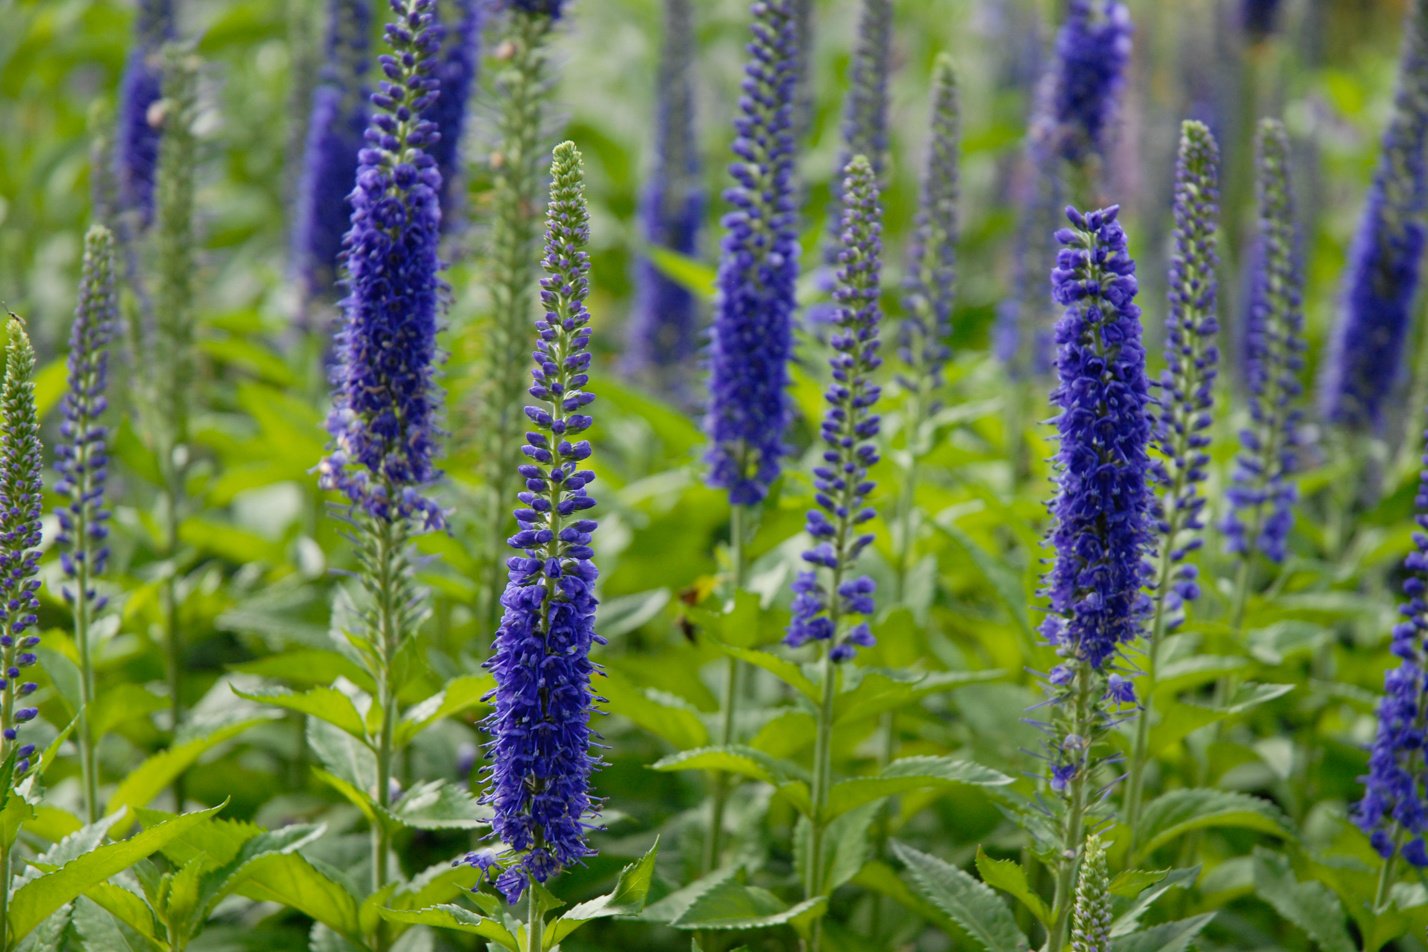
{"x":136,"y":146}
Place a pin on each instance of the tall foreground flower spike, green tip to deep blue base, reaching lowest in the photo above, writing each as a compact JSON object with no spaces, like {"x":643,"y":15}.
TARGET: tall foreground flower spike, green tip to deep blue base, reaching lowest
{"x":540,"y":746}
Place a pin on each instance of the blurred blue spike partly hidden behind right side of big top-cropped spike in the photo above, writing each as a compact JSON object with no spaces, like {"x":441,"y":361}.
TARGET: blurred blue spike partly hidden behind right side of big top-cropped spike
{"x":456,"y":76}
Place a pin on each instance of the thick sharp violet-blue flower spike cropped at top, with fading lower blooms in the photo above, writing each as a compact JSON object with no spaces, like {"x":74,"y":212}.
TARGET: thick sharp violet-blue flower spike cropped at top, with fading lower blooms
{"x":385,"y":403}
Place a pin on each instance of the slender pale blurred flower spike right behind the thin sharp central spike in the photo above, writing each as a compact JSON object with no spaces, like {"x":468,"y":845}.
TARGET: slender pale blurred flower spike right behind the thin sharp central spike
{"x":930,"y":285}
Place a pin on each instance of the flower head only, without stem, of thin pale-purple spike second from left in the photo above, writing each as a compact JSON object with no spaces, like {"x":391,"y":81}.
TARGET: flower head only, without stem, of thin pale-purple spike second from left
{"x":82,"y":456}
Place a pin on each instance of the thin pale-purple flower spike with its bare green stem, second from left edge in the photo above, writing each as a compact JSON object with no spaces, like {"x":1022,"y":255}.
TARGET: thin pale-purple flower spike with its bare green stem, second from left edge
{"x":82,"y":466}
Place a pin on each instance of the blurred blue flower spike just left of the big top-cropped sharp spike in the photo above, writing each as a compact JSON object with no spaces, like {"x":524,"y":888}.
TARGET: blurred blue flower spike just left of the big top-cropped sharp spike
{"x":335,"y":136}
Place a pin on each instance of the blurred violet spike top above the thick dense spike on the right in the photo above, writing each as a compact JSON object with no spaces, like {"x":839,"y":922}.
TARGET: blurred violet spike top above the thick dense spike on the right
{"x":1093,"y":54}
